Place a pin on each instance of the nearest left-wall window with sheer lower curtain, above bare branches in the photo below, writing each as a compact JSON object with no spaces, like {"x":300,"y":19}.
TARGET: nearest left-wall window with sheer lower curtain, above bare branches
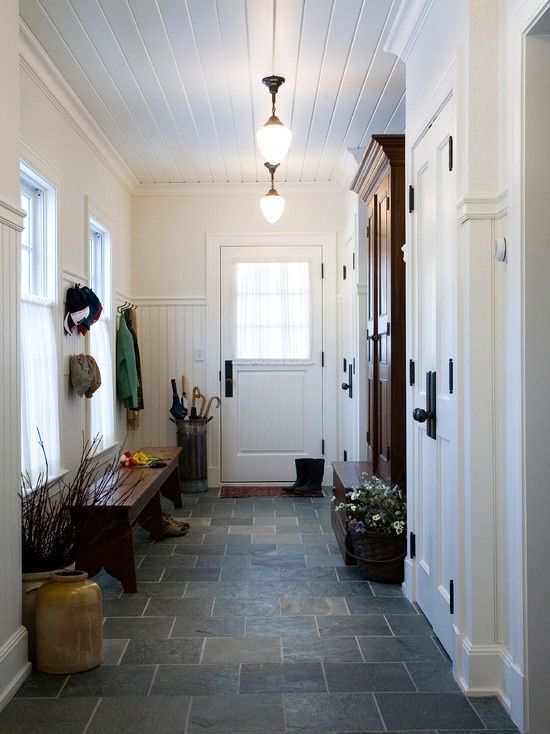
{"x":39,"y":354}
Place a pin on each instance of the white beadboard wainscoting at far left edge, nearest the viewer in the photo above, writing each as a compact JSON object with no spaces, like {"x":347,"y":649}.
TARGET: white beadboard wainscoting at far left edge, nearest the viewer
{"x":13,"y":637}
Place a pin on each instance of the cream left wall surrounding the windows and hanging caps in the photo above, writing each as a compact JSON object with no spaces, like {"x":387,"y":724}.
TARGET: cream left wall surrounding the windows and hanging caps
{"x":56,"y":146}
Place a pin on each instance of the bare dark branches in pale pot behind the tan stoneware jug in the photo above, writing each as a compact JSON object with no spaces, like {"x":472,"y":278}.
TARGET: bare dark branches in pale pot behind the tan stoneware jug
{"x":48,"y":528}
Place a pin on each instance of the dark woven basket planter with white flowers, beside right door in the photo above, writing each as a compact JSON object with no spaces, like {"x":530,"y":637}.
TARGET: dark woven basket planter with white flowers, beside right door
{"x":376,"y":516}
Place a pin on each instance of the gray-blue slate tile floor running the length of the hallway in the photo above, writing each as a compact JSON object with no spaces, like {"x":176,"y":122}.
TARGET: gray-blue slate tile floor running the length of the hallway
{"x":251,"y":623}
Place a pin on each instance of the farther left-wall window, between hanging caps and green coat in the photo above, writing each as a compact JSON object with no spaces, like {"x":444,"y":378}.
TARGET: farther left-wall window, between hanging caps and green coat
{"x":102,"y":414}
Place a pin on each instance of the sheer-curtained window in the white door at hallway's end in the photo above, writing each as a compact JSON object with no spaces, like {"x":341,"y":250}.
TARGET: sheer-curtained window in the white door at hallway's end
{"x":273,"y":310}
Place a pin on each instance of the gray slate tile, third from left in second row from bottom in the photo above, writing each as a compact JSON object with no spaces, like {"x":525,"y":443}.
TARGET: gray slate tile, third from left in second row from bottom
{"x":196,"y":680}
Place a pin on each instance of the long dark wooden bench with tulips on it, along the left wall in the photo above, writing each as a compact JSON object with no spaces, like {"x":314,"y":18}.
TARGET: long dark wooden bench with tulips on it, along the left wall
{"x":106,"y":540}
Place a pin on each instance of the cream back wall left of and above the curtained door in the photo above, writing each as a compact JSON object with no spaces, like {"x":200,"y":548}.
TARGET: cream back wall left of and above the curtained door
{"x":169,"y":228}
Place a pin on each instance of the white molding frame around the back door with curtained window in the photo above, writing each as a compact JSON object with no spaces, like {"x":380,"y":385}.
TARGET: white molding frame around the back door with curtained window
{"x":214,"y":243}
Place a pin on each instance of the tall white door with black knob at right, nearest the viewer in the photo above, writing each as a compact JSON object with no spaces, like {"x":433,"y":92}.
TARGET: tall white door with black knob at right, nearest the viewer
{"x":433,"y":485}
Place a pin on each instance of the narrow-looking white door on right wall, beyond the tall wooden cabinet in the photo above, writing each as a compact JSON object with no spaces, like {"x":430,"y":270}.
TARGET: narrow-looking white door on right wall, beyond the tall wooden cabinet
{"x":349,"y":427}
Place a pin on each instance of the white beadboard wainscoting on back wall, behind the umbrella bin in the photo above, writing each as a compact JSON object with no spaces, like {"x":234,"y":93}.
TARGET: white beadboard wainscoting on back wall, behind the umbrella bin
{"x":172,"y":339}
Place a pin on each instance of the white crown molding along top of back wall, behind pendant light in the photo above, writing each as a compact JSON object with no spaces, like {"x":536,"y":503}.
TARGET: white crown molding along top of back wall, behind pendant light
{"x":229,"y":189}
